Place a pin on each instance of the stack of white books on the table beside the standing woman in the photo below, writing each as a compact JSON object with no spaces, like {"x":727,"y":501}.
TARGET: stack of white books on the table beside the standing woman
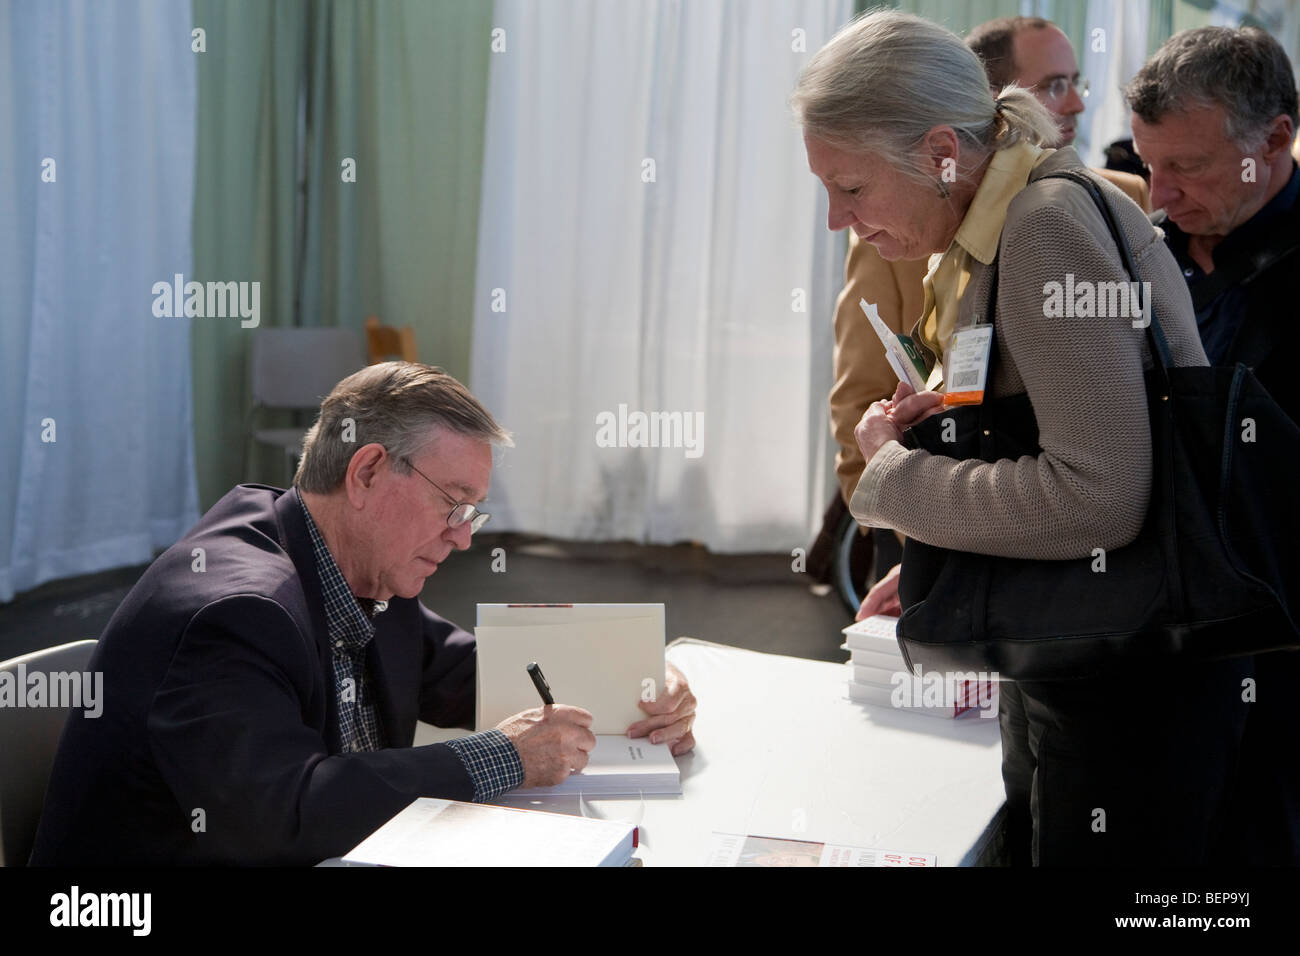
{"x":881,"y":676}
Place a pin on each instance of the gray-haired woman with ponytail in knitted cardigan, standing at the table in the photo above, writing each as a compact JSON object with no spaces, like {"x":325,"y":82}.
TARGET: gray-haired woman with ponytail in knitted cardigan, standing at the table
{"x":918,"y":157}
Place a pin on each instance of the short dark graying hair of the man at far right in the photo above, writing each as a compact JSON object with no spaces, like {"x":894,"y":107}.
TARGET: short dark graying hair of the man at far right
{"x":1243,"y":71}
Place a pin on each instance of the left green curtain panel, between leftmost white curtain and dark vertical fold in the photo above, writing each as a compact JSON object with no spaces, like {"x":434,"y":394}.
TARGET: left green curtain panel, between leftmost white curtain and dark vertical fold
{"x":244,"y":210}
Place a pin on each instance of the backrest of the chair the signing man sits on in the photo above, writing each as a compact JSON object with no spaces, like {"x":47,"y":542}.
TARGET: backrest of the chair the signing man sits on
{"x":29,"y":738}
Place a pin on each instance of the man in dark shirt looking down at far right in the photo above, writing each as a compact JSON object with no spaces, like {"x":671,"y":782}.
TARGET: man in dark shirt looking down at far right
{"x":1215,"y":119}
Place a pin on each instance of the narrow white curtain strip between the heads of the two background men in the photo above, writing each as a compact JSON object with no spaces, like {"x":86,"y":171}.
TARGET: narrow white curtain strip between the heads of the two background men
{"x":1110,"y":67}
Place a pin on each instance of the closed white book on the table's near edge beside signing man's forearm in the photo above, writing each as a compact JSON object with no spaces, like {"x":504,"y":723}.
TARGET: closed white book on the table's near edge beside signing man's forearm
{"x":448,"y":833}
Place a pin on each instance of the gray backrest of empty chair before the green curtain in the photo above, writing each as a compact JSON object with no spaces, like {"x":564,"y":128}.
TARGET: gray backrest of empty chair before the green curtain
{"x":296,"y":369}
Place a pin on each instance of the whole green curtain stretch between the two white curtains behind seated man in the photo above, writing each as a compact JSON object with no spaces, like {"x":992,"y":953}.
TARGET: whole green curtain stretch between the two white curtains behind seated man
{"x":400,"y":88}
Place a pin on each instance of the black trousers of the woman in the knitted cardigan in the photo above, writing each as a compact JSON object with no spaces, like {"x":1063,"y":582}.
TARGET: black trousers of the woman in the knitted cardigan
{"x":1123,"y":771}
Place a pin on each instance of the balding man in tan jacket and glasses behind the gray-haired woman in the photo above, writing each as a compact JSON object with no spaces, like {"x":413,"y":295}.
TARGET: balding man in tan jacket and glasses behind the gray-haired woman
{"x":1028,"y":51}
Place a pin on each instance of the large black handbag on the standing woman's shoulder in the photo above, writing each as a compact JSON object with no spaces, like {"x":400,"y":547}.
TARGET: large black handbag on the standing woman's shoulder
{"x":1214,"y":572}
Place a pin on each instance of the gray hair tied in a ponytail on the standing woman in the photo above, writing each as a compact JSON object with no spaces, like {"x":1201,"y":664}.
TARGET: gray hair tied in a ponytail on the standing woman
{"x":889,"y":79}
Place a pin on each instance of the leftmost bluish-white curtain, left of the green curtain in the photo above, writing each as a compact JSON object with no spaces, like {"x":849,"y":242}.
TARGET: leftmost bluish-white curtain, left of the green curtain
{"x":107,"y":92}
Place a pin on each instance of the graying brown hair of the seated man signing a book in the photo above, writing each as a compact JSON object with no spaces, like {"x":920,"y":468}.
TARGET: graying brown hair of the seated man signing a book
{"x":397,"y":405}
